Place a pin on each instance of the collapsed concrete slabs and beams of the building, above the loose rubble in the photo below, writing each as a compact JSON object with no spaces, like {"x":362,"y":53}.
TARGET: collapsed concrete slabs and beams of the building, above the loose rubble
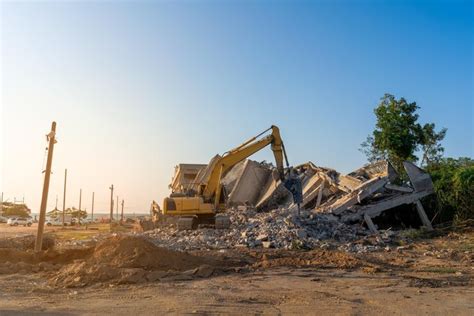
{"x":360,"y":195}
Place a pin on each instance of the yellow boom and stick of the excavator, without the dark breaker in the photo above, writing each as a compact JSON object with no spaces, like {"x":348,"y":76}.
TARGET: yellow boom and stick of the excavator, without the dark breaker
{"x":212,"y":189}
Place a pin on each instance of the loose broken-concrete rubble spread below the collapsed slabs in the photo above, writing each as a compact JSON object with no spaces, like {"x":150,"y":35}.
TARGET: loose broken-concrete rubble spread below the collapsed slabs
{"x":280,"y":228}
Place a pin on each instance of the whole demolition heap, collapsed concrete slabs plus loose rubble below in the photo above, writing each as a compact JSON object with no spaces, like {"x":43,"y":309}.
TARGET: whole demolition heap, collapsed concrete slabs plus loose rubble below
{"x":335,"y":207}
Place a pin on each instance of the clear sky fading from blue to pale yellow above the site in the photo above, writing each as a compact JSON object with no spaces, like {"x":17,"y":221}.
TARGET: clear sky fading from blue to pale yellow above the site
{"x":141,"y":86}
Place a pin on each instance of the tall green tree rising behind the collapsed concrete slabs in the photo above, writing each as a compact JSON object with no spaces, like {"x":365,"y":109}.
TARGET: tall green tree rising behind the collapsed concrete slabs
{"x":398,"y":135}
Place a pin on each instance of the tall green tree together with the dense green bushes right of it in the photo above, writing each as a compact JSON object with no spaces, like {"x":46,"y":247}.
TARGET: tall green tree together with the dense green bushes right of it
{"x":398,"y":136}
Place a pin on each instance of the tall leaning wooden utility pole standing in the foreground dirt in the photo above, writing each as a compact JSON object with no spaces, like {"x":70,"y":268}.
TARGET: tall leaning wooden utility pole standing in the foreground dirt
{"x":44,"y":199}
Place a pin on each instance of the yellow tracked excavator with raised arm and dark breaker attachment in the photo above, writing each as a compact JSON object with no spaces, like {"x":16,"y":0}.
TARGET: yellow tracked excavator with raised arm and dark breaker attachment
{"x":194,"y":208}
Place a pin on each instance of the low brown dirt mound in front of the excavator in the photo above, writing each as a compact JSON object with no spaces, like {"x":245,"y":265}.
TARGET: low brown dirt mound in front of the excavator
{"x":130,"y":259}
